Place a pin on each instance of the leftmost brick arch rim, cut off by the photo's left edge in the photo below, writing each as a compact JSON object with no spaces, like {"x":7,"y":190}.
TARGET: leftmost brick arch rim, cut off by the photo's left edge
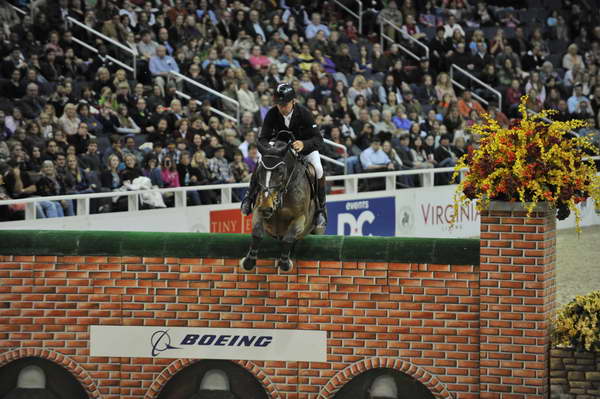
{"x":80,"y":374}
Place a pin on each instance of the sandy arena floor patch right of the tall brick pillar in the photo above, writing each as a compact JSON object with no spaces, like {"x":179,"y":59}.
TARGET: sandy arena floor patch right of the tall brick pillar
{"x":578,"y":261}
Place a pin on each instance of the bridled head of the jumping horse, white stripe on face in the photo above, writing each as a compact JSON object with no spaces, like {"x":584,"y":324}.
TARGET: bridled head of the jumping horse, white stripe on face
{"x":273,"y":177}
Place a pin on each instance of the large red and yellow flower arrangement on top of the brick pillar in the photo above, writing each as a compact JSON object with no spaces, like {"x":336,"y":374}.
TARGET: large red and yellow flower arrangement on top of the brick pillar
{"x":530,"y":162}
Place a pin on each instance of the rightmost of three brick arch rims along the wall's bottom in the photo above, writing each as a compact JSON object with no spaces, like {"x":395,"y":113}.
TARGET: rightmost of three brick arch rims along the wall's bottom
{"x":343,"y":376}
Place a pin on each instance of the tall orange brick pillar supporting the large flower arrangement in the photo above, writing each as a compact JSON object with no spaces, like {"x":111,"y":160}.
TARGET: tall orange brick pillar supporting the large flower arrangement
{"x":517,"y":277}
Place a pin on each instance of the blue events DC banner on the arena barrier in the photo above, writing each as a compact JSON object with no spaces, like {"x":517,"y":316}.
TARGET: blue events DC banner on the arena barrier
{"x":364,"y":217}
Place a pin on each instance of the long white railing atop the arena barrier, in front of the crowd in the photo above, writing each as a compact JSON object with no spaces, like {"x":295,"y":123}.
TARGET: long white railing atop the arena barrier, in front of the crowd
{"x":83,"y":200}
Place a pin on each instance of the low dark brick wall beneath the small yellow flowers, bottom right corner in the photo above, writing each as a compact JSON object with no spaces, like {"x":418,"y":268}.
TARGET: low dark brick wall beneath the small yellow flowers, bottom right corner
{"x":574,"y":375}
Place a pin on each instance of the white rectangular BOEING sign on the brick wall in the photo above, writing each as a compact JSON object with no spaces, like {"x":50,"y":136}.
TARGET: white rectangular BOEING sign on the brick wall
{"x":208,"y":343}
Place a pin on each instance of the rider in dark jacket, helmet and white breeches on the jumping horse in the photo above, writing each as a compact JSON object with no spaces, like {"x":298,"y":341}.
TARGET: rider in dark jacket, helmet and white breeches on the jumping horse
{"x":294,"y":117}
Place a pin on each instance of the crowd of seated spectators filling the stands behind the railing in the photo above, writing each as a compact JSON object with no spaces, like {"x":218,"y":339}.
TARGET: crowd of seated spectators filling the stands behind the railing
{"x":74,"y":120}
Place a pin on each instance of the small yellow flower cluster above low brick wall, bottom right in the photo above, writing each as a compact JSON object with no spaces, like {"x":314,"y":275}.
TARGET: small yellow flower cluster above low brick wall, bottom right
{"x":577,"y":324}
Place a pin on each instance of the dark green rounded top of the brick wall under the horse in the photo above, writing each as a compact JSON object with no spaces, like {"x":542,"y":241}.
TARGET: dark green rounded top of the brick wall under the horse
{"x":204,"y":245}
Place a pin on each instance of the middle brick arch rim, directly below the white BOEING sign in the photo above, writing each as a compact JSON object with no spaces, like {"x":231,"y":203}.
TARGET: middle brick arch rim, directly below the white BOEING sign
{"x":179,"y":364}
